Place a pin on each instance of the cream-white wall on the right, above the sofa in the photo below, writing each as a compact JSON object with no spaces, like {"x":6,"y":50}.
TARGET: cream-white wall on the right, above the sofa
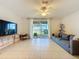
{"x":72,"y":23}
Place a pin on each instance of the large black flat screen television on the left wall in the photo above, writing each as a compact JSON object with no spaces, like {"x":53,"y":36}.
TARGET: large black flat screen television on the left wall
{"x":7,"y":28}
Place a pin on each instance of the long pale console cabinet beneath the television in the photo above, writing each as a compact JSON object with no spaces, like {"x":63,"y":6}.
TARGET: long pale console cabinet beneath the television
{"x":8,"y":40}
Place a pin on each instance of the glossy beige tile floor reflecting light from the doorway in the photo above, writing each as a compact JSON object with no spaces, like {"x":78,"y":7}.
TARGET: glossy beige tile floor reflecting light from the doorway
{"x":35,"y":49}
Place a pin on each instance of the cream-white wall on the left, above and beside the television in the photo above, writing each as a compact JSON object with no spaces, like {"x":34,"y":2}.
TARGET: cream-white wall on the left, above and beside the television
{"x":8,"y":15}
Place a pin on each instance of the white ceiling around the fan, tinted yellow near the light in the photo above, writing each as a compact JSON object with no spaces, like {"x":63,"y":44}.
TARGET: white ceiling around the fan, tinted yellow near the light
{"x":30,"y":8}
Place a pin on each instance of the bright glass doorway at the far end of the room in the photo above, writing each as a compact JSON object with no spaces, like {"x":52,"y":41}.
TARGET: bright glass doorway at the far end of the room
{"x":40,"y":29}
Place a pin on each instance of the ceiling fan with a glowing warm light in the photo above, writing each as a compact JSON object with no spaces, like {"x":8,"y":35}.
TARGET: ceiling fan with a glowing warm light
{"x":45,"y":7}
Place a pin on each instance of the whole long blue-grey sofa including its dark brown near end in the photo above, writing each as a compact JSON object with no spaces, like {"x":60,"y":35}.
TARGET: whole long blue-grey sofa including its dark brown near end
{"x":68,"y":44}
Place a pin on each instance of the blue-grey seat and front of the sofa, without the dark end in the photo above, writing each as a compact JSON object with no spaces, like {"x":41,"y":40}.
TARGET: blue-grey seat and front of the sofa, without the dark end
{"x":65,"y":44}
